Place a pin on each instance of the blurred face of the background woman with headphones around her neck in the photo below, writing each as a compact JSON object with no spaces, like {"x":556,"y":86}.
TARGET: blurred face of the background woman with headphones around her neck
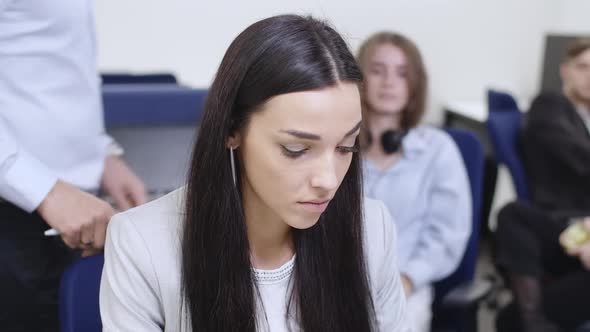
{"x":386,"y":83}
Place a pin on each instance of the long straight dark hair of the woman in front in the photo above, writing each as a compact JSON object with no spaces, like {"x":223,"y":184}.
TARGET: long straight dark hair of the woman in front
{"x":330,"y":286}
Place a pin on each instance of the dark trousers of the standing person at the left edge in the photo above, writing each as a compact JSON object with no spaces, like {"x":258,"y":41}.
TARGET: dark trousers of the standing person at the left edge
{"x":31,"y":265}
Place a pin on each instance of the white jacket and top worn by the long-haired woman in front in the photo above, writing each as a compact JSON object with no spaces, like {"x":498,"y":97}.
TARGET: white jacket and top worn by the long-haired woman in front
{"x":140,"y":285}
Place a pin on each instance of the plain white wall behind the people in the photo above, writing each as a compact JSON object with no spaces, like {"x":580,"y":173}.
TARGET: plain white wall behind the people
{"x":468,"y":45}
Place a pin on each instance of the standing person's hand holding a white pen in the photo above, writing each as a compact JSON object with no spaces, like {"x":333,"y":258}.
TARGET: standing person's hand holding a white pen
{"x":80,"y":218}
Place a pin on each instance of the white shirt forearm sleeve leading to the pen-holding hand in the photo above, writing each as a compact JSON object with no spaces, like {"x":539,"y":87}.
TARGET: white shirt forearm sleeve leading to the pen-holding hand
{"x":24,"y":180}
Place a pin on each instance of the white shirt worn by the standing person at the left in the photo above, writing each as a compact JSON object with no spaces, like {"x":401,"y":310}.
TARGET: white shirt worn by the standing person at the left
{"x":51,"y":122}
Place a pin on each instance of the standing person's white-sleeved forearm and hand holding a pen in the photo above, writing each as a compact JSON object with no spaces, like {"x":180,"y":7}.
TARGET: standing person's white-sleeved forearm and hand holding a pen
{"x":26,"y":182}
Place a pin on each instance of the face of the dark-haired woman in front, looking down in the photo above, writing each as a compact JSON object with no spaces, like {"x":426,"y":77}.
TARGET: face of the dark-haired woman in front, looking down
{"x":295,"y":152}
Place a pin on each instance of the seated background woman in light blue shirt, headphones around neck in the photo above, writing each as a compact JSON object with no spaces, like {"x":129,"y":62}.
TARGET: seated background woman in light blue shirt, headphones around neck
{"x":417,"y":171}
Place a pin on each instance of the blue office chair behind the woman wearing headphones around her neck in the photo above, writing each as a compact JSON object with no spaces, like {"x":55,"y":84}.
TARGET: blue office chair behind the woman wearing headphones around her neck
{"x":457,"y":297}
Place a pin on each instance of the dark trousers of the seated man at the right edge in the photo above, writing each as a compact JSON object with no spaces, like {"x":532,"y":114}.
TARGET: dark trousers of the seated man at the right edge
{"x":527,"y":243}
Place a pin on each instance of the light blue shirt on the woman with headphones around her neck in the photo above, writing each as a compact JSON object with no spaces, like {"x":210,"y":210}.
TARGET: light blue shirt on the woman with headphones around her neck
{"x":427,"y":193}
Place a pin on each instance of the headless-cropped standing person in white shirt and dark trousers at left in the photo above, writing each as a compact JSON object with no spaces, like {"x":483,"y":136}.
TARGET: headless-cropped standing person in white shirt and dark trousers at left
{"x":54,"y":153}
